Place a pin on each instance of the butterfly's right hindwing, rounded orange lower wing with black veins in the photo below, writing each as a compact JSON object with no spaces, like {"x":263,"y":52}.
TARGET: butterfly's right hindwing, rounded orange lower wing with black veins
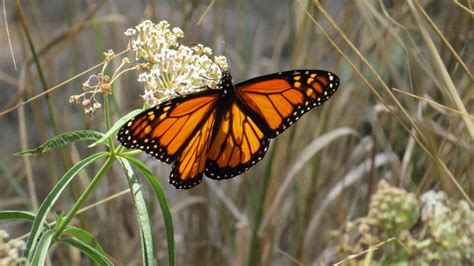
{"x":237,"y":144}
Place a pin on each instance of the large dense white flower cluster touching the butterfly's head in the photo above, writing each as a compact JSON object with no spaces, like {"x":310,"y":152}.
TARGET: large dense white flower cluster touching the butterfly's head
{"x":168,"y":68}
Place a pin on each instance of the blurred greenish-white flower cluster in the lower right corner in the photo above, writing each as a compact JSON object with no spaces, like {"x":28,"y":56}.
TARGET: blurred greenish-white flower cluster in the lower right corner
{"x":444,"y":234}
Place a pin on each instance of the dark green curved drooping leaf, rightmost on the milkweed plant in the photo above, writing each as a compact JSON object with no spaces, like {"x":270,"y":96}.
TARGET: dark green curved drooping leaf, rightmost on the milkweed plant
{"x":160,"y":193}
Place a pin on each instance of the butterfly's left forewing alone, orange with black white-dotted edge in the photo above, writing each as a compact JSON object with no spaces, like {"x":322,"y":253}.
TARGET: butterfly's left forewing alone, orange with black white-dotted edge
{"x":163,"y":131}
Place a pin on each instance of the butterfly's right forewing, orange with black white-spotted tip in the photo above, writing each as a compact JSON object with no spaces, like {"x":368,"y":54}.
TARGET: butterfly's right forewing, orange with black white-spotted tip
{"x":277,"y":100}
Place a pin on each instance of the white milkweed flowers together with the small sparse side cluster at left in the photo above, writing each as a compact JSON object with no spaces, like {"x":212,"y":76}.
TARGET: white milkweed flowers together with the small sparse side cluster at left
{"x":166,"y":67}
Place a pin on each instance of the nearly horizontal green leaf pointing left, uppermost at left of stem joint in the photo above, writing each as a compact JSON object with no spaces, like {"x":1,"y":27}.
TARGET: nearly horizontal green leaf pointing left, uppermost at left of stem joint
{"x":61,"y":140}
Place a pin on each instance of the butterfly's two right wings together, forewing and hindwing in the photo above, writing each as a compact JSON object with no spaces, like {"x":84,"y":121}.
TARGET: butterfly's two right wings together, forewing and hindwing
{"x":263,"y":108}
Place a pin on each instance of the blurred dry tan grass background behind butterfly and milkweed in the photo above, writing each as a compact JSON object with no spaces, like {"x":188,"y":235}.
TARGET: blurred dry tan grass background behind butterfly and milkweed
{"x":299,"y":205}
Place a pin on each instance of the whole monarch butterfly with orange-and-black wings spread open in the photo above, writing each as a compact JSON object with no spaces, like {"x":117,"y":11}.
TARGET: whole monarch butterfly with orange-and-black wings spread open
{"x":224,"y":131}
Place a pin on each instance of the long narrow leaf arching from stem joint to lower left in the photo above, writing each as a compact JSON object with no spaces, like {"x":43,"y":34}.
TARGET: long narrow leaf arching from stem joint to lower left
{"x":52,"y":197}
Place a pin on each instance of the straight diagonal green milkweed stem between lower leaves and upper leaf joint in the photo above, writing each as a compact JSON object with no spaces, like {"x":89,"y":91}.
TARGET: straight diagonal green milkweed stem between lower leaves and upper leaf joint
{"x":83,"y":197}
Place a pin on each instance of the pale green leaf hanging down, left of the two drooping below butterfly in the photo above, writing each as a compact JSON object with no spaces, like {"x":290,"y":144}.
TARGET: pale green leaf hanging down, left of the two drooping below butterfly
{"x":142,"y":214}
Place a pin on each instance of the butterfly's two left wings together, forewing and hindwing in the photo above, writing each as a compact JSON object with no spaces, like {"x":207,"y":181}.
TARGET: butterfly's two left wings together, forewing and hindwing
{"x":176,"y":131}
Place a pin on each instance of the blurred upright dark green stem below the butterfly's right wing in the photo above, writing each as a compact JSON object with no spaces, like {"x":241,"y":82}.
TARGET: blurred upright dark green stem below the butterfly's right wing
{"x":254,"y":248}
